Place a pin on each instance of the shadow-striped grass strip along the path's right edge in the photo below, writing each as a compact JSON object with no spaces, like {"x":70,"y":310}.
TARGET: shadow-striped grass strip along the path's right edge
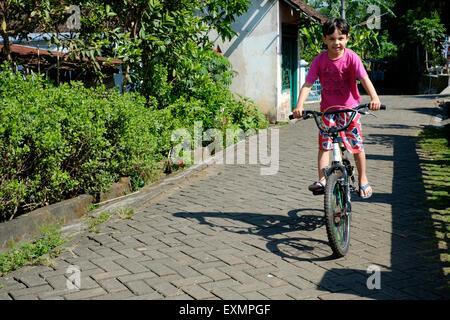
{"x":435,"y":161}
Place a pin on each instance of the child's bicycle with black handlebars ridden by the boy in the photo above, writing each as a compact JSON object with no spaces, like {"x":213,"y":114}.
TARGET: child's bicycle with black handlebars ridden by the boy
{"x":338,"y":189}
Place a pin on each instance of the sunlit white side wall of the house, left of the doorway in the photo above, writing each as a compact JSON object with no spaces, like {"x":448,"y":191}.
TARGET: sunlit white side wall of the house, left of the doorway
{"x":254,"y":54}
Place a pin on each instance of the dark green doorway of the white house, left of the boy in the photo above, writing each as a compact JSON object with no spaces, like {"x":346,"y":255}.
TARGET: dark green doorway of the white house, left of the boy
{"x":289,"y":62}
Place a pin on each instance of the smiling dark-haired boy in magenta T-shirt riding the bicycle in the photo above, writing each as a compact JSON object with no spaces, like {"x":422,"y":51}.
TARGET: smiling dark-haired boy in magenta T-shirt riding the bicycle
{"x":337,"y":69}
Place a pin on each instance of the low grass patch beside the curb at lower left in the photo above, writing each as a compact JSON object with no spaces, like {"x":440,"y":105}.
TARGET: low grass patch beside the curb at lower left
{"x":39,"y":251}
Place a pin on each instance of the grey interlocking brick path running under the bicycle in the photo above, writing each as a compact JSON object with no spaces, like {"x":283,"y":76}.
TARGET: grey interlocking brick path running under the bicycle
{"x":232,"y":233}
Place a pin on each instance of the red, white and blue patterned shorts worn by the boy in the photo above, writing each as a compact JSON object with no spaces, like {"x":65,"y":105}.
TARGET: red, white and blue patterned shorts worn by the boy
{"x":352,"y":136}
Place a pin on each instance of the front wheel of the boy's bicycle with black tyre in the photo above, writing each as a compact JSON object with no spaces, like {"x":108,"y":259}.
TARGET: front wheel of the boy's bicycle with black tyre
{"x":336,"y":215}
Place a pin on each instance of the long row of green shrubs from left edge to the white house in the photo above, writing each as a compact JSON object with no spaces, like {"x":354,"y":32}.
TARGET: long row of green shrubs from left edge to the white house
{"x":59,"y":142}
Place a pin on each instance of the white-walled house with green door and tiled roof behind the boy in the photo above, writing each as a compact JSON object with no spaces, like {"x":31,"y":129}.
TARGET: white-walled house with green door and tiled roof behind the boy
{"x":265,"y":54}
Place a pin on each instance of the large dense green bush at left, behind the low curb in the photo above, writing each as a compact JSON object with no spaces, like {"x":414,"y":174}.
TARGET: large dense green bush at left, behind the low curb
{"x":59,"y":142}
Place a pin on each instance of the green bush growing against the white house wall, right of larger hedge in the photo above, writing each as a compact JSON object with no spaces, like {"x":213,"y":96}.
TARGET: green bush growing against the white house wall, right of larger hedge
{"x":203,"y":94}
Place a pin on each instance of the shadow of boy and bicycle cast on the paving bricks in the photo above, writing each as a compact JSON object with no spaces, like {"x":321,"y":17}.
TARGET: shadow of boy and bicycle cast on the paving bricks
{"x":270,"y":228}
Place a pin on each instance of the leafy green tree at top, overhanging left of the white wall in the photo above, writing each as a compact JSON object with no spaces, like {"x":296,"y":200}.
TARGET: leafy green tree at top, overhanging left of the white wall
{"x":158,"y":40}
